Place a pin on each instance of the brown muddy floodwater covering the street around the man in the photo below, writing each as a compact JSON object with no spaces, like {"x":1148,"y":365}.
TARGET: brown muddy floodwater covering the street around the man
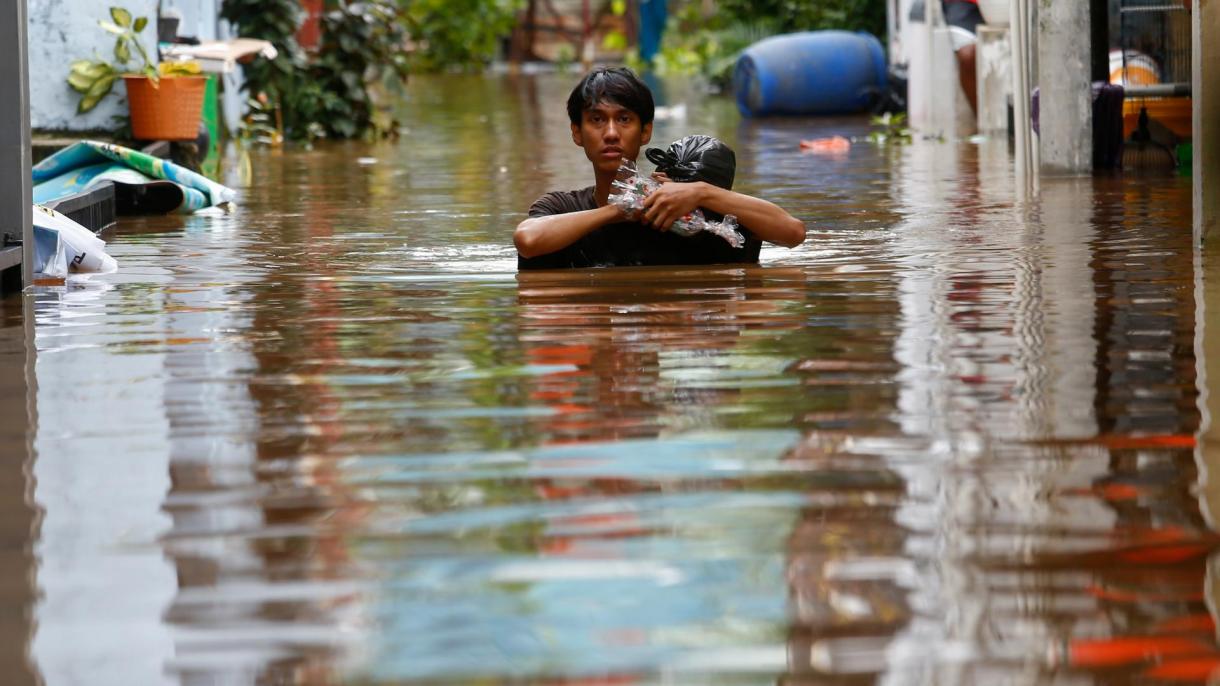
{"x":335,"y":438}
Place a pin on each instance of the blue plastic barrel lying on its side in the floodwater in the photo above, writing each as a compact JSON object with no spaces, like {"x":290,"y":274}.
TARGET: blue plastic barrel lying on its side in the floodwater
{"x":817,"y":73}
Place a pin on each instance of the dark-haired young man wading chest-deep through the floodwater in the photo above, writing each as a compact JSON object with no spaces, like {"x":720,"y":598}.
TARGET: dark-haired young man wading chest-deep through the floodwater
{"x":612,"y":115}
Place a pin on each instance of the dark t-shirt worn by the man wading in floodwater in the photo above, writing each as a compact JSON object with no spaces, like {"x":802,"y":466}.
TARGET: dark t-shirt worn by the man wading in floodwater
{"x":631,"y":245}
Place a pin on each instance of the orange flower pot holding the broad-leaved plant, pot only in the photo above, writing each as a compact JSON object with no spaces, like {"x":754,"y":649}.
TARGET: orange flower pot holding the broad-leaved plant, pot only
{"x":169,"y":110}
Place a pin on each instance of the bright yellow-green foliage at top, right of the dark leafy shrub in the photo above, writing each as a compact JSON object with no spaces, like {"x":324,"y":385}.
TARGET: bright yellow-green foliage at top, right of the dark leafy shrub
{"x":458,"y":34}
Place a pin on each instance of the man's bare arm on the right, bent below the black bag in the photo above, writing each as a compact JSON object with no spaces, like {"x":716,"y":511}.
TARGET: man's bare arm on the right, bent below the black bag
{"x":764,"y":219}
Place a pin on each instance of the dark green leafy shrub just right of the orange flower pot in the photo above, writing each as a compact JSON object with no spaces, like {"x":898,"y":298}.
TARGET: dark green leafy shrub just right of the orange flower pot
{"x":331,"y":95}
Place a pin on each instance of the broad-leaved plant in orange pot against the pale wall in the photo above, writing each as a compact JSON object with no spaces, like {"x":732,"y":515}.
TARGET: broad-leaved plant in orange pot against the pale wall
{"x":165,"y":101}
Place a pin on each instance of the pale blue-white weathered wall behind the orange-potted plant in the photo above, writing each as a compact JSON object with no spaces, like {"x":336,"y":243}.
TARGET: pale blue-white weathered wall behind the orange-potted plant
{"x":63,"y":31}
